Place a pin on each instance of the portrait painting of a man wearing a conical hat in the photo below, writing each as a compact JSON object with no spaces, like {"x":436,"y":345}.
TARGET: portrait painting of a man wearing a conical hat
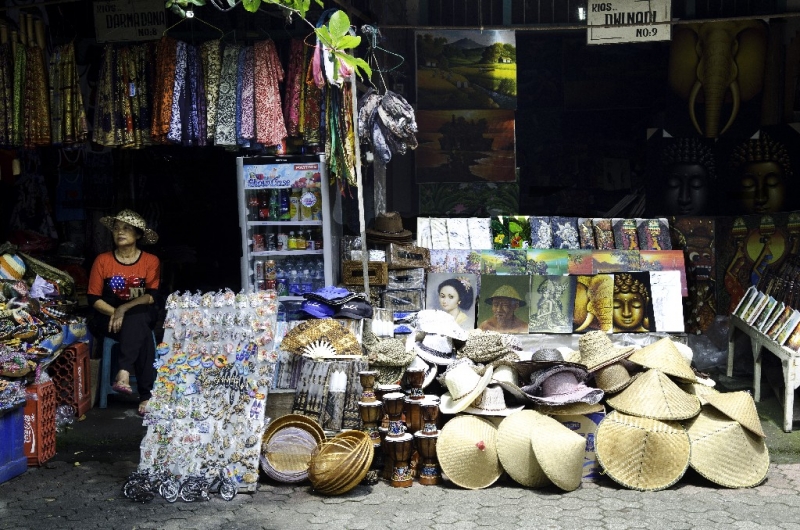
{"x":504,"y":309}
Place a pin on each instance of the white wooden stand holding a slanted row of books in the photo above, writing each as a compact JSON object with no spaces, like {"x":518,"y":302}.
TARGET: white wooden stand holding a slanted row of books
{"x":789,"y":362}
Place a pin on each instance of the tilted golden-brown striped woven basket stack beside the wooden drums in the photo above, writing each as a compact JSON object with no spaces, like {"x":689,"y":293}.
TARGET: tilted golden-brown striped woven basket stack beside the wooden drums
{"x":341,"y":463}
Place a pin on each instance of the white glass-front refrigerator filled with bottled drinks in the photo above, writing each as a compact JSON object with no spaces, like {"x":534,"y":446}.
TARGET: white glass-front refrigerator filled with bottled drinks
{"x":285,"y":218}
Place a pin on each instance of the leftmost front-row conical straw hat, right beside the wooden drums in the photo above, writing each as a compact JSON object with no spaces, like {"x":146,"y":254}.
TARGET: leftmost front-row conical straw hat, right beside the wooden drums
{"x":467,"y":452}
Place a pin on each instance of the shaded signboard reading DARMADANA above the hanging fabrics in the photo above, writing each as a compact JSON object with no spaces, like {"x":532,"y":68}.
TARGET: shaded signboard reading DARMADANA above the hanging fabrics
{"x":129,"y":20}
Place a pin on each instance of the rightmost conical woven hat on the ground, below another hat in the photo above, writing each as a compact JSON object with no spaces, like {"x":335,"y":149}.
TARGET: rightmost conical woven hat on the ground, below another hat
{"x":725,"y":452}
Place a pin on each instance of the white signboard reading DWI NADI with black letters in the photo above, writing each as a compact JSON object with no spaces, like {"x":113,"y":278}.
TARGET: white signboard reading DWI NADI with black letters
{"x":615,"y":21}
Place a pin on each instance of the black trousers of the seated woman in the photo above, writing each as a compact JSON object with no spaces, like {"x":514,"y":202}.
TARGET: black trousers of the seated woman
{"x":137,"y":351}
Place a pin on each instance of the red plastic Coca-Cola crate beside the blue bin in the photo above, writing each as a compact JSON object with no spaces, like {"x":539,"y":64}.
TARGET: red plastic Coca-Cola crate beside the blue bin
{"x":40,"y":423}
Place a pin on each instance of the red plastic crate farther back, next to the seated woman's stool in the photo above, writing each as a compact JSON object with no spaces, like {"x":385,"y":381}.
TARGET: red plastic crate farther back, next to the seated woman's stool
{"x":71,"y":375}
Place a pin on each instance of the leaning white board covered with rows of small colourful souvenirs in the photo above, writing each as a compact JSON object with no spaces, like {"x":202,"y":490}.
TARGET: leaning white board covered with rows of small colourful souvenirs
{"x":215,"y":366}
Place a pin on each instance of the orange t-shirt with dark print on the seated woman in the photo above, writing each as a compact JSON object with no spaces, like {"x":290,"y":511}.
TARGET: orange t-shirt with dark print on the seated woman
{"x":116,"y":283}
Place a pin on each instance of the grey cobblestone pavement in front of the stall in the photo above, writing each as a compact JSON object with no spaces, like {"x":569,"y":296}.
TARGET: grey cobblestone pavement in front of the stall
{"x":63,"y":495}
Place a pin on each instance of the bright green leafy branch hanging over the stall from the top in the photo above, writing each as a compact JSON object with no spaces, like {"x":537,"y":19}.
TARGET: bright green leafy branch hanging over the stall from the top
{"x":335,"y":35}
